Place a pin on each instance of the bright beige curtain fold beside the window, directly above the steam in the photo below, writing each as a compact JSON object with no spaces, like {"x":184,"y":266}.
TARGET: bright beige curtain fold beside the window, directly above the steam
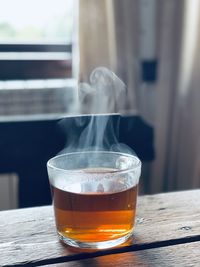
{"x":95,"y":40}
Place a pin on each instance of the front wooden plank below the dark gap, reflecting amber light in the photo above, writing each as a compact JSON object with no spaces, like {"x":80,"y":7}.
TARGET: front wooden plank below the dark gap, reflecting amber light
{"x":185,"y":255}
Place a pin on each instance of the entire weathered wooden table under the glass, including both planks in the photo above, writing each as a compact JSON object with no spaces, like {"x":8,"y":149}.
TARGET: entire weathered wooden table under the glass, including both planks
{"x":167,"y":233}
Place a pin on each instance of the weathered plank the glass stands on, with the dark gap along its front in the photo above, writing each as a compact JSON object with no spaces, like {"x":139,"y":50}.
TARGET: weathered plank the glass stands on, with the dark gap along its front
{"x":28,"y":236}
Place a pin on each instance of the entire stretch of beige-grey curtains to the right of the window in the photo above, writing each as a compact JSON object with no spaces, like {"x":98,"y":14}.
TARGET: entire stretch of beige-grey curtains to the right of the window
{"x":109,"y":36}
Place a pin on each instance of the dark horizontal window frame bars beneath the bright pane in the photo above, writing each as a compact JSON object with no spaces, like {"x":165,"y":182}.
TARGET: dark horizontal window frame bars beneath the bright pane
{"x":59,"y":66}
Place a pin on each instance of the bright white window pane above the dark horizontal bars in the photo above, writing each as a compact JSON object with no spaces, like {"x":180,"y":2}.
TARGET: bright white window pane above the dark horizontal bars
{"x":36,"y":21}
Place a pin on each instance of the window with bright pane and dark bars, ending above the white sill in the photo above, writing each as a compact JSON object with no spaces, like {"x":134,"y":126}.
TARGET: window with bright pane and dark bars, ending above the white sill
{"x":35,"y":39}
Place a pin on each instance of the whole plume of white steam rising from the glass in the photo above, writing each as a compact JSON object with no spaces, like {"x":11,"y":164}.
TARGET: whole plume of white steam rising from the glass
{"x":102,"y":96}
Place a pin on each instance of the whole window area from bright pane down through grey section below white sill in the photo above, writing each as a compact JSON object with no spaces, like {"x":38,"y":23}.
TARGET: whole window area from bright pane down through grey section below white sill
{"x":36,"y":54}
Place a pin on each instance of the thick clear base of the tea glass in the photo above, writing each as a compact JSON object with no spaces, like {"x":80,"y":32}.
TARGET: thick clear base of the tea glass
{"x":95,"y":245}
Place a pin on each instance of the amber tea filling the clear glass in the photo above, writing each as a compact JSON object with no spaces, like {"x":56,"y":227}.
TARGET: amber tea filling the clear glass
{"x":94,"y":217}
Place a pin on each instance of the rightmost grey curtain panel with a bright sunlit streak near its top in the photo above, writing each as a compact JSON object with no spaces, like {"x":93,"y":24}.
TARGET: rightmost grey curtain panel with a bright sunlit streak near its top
{"x":177,"y":124}
